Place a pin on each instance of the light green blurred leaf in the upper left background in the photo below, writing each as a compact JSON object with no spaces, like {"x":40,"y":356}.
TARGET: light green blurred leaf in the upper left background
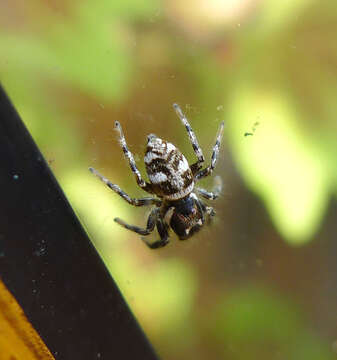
{"x":92,"y":49}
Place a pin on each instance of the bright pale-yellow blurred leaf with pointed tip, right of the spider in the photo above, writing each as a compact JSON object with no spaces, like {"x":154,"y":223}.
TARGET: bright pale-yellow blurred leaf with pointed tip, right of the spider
{"x":279,"y":162}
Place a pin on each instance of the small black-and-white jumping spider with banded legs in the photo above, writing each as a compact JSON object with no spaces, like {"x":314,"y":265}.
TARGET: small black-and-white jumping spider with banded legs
{"x":172,"y":181}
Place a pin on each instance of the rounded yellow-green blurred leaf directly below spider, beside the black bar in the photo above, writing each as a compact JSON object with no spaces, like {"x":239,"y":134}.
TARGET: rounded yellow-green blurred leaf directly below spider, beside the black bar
{"x":163,"y":292}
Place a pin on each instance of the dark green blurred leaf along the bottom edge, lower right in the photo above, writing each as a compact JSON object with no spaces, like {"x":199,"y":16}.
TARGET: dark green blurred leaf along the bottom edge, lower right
{"x":257,"y":324}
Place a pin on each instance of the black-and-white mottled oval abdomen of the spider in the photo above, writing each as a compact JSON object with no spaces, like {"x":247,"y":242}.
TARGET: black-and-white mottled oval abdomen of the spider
{"x":168,"y":169}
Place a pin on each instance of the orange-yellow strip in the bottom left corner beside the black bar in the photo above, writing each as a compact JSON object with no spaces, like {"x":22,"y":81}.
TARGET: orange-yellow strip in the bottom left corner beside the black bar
{"x":18,"y":339}
